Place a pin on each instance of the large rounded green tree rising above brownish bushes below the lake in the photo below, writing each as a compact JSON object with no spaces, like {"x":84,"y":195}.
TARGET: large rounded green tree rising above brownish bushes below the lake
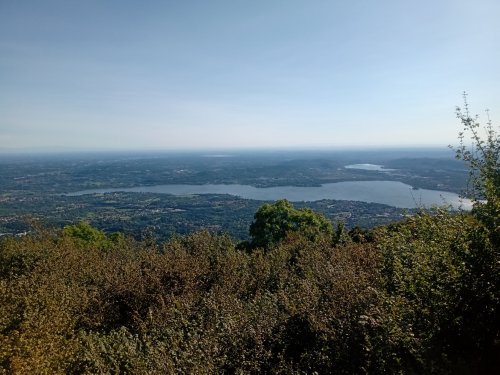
{"x":273,"y":222}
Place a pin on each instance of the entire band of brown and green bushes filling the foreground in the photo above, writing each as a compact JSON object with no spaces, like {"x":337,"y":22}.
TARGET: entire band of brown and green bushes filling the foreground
{"x":421,"y":296}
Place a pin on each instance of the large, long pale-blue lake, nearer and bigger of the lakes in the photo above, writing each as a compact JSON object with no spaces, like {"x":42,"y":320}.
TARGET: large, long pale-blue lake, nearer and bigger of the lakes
{"x":392,"y":193}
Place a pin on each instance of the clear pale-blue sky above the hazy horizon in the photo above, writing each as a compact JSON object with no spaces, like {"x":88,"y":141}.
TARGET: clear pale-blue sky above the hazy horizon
{"x":232,"y":74}
